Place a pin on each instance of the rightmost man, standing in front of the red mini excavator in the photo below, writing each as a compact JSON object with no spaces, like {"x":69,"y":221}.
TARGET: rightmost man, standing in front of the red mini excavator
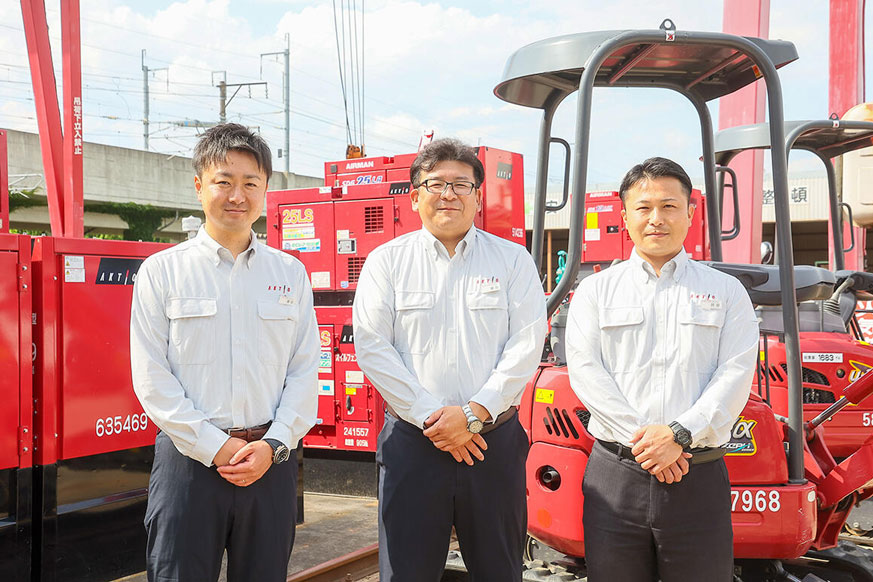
{"x":662,"y":351}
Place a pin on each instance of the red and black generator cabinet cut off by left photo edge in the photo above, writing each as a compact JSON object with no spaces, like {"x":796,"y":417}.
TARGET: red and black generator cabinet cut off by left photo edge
{"x":16,"y":428}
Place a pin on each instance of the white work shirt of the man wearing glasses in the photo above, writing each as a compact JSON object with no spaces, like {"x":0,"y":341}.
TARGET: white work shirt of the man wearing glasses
{"x":434,"y":331}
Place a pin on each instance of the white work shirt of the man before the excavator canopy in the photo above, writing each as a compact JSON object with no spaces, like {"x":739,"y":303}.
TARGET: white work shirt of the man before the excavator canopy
{"x":643,"y":349}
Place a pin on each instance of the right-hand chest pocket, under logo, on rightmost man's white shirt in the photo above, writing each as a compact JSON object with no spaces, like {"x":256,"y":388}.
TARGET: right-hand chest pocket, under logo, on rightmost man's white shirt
{"x":699,"y":332}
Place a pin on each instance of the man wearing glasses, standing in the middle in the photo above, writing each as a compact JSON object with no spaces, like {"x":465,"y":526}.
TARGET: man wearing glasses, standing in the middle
{"x":449,"y":323}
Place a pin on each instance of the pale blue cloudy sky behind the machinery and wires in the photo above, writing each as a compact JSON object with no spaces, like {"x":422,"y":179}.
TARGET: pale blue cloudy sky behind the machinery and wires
{"x":426,"y":65}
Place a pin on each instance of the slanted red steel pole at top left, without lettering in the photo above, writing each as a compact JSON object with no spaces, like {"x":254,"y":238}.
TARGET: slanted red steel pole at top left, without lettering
{"x":48,"y":115}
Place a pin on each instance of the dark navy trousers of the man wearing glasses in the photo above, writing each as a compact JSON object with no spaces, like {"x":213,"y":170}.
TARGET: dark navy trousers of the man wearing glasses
{"x":423,"y":492}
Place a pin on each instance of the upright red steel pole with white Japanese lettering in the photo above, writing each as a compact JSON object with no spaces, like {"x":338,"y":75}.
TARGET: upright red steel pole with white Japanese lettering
{"x":74,"y":209}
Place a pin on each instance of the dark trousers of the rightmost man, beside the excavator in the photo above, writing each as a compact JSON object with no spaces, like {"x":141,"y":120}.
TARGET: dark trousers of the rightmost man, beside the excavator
{"x":638,"y":529}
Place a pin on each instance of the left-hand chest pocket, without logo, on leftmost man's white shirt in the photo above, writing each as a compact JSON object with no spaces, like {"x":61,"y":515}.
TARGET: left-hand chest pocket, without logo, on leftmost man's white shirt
{"x":193,"y":328}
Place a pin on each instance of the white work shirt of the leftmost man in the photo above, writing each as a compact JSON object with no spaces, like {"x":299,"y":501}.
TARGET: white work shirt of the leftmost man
{"x":218,"y":343}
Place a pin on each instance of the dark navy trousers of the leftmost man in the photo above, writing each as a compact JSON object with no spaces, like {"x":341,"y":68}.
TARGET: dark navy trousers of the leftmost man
{"x":193,"y":514}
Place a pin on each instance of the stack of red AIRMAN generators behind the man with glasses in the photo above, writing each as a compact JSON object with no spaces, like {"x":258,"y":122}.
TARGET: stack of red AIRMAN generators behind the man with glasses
{"x":332,"y":229}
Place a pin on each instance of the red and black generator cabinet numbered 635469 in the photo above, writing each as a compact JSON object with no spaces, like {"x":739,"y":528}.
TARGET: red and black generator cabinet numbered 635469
{"x":93,"y":444}
